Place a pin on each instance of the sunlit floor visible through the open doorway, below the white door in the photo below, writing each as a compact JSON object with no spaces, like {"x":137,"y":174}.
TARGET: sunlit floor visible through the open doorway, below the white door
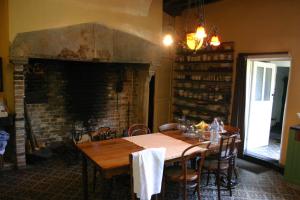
{"x":271,"y":151}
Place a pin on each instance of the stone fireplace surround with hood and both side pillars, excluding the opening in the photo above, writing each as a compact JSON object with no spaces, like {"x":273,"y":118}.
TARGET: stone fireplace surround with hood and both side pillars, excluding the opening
{"x":83,"y":42}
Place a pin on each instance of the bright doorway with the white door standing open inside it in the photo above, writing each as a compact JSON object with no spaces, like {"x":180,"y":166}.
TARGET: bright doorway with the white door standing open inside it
{"x":266,"y":86}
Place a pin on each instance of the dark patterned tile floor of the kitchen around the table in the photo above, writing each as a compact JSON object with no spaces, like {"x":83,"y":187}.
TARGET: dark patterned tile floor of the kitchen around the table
{"x":53,"y":179}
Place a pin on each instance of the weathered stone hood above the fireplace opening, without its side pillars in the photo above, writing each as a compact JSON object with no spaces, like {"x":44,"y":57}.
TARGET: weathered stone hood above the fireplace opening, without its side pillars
{"x":84,"y":42}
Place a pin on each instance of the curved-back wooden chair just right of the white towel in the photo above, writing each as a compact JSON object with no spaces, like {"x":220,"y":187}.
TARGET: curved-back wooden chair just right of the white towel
{"x":187,"y":176}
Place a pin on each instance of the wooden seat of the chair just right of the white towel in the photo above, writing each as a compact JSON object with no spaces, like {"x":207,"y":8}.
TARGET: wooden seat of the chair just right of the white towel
{"x":174,"y":173}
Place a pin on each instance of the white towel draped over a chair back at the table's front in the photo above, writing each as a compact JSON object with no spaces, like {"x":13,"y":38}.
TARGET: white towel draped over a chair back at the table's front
{"x":148,"y":166}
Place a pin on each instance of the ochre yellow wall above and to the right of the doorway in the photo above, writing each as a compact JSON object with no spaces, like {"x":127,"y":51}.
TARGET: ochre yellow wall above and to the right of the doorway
{"x":263,"y":26}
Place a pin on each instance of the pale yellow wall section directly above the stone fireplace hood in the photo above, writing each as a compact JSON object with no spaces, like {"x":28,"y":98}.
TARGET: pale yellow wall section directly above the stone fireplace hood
{"x":134,"y":16}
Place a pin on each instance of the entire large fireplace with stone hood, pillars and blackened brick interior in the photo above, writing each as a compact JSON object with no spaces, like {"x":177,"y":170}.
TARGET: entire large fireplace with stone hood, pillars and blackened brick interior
{"x":79,"y":74}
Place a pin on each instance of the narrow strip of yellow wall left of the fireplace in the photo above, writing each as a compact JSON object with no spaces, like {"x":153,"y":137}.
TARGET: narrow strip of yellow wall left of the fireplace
{"x":4,"y":48}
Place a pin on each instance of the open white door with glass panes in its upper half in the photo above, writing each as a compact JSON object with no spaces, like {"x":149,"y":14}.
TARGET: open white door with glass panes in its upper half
{"x":261,"y":101}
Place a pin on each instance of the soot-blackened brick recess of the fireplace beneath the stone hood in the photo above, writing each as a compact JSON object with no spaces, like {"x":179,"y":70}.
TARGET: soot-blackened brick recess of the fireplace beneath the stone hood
{"x":59,"y":94}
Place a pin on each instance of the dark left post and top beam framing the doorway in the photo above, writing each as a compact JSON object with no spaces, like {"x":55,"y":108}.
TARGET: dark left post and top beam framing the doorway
{"x":239,"y":97}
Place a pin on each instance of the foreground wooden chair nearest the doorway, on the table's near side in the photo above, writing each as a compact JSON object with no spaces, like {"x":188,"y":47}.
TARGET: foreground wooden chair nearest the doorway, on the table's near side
{"x":224,"y":164}
